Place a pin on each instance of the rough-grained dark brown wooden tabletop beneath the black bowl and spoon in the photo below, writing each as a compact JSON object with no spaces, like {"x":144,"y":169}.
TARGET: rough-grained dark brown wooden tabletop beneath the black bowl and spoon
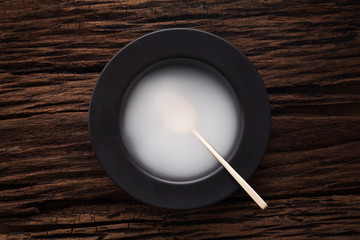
{"x":51,"y":184}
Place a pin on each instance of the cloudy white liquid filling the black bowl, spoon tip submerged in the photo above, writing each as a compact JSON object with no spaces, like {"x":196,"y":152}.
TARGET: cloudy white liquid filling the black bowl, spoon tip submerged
{"x":166,"y":149}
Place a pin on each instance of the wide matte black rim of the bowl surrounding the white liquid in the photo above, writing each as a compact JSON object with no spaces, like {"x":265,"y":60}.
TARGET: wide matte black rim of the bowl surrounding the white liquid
{"x":119,"y":75}
